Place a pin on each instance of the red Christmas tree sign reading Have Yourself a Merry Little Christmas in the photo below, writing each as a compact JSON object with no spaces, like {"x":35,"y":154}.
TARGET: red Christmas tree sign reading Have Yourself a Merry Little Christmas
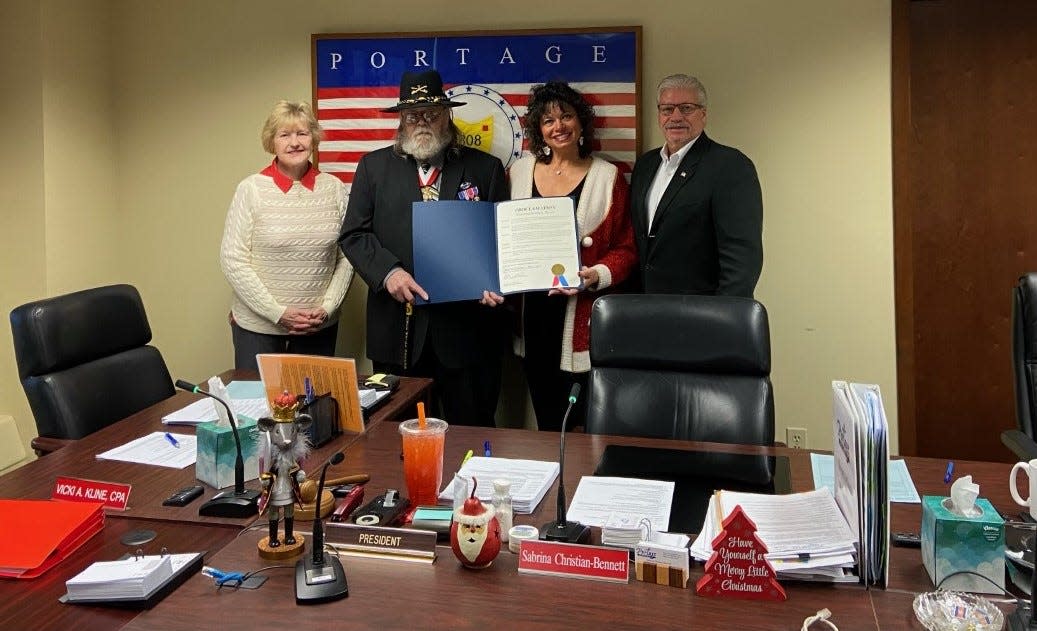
{"x":738,"y":568}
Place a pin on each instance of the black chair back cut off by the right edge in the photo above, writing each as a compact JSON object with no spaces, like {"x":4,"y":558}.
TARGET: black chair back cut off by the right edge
{"x":1025,"y":352}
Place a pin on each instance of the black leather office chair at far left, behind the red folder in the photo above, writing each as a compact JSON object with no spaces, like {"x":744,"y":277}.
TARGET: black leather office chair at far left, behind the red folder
{"x":85,"y":362}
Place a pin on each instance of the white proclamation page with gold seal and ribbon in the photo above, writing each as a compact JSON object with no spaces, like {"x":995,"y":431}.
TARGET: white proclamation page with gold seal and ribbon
{"x":537,"y":244}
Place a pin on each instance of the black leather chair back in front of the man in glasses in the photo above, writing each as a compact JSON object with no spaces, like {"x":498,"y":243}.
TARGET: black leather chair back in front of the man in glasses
{"x":690,"y":368}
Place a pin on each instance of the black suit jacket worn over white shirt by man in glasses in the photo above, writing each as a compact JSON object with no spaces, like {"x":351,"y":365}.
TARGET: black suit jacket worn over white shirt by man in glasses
{"x":707,"y":237}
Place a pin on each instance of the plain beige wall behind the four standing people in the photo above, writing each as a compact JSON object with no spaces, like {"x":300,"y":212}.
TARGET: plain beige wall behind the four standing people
{"x":802,"y":87}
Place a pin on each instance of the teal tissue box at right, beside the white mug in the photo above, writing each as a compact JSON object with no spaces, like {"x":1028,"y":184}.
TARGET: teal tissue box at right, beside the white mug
{"x":955,"y":543}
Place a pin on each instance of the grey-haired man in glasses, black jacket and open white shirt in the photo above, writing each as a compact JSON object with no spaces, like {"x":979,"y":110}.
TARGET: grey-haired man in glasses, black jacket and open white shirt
{"x":696,"y":205}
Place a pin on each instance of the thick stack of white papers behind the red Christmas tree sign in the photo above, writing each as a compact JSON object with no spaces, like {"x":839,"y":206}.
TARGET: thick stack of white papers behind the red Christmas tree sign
{"x":806,"y":535}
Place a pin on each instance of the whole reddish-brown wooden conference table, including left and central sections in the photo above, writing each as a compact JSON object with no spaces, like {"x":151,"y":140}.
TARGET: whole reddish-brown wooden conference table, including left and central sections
{"x":394,"y":595}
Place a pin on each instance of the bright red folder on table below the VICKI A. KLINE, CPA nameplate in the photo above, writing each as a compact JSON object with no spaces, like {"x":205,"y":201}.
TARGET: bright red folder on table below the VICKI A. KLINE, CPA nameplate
{"x":36,"y":535}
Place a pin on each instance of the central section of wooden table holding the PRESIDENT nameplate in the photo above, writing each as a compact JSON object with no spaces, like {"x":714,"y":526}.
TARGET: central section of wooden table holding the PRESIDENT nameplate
{"x":399,"y":595}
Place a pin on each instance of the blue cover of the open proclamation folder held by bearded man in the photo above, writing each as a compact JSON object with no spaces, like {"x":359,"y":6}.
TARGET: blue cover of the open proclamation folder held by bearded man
{"x":456,"y":250}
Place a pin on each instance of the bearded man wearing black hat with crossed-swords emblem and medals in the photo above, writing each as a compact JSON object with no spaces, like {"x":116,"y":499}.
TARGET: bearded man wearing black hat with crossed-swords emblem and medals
{"x":457,"y":344}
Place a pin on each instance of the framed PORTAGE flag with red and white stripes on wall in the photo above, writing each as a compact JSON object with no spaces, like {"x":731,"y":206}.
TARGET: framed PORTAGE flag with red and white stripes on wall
{"x":356,"y":76}
